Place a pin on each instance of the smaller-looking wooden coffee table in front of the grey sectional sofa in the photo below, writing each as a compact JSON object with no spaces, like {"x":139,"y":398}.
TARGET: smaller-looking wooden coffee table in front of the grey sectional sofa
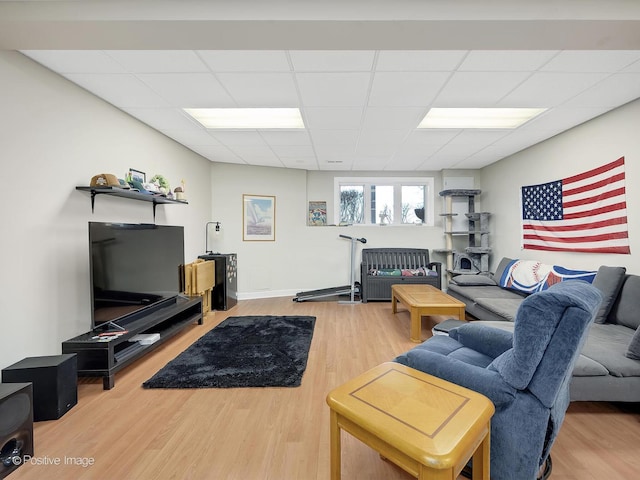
{"x":424,"y":300}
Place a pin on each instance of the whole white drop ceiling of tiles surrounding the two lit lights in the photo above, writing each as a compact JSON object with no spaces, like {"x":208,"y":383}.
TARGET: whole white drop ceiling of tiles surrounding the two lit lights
{"x":359,"y":107}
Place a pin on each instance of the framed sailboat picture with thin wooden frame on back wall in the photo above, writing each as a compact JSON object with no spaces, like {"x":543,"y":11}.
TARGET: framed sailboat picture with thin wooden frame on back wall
{"x":258,"y":218}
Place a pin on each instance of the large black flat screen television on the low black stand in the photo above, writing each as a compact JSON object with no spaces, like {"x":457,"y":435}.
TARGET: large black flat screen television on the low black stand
{"x":132,"y":267}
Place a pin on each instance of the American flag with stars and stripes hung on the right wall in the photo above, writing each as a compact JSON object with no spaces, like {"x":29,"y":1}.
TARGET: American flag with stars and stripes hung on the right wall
{"x":582,"y":213}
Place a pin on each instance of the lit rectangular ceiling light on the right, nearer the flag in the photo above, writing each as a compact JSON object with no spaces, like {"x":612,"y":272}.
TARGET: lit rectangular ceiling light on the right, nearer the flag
{"x":478,"y":117}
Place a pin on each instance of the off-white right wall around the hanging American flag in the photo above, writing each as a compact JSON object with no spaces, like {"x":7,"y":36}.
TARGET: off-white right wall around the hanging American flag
{"x":582,"y":148}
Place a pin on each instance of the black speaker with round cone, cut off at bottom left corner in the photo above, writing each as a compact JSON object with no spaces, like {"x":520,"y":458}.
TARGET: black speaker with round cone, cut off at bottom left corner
{"x":16,"y":425}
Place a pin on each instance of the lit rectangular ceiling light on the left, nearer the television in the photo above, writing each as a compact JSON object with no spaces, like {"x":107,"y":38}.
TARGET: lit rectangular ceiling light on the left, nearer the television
{"x":243,"y":118}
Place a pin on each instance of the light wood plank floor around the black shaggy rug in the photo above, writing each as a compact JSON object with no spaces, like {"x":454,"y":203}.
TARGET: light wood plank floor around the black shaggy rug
{"x":280,"y":433}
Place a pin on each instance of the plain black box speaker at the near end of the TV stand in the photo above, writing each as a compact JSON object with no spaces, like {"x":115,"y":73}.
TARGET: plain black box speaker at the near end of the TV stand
{"x":55,"y":383}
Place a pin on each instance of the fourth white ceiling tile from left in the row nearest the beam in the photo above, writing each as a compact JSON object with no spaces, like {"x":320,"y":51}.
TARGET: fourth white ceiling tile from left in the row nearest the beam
{"x":332,"y":61}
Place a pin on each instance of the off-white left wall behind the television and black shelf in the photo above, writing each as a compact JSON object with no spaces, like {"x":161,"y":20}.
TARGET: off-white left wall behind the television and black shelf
{"x":54,"y":136}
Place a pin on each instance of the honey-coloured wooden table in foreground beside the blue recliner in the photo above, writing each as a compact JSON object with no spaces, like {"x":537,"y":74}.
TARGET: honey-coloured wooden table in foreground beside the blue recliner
{"x":427,"y":426}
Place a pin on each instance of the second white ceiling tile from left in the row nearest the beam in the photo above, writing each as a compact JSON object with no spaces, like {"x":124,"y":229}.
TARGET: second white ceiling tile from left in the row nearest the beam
{"x":158,"y":61}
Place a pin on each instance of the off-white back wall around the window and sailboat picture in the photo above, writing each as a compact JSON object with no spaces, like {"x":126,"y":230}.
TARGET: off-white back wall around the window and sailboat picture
{"x":302,"y":257}
